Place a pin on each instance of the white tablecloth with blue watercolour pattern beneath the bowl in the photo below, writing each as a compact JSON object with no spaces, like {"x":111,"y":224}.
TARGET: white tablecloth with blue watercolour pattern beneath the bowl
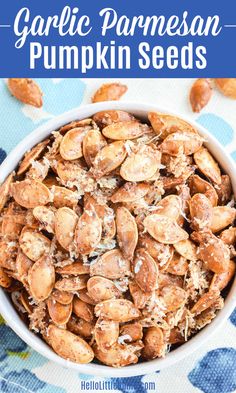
{"x":211,"y":369}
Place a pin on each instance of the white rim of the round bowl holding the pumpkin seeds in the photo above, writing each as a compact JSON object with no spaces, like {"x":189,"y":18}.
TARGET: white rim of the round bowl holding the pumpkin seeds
{"x":7,"y":310}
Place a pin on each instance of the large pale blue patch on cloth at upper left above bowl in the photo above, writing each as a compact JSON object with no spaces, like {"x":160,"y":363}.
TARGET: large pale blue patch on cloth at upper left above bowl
{"x":58,"y":98}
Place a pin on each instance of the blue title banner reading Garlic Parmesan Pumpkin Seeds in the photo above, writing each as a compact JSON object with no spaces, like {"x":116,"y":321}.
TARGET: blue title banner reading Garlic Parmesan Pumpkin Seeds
{"x":95,"y":55}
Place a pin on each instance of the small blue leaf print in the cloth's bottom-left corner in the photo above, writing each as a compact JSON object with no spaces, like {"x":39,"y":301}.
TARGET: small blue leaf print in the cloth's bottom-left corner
{"x":24,"y":381}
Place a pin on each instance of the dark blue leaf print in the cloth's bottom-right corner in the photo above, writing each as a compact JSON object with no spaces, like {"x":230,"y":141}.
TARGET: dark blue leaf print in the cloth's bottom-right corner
{"x":216,"y":372}
